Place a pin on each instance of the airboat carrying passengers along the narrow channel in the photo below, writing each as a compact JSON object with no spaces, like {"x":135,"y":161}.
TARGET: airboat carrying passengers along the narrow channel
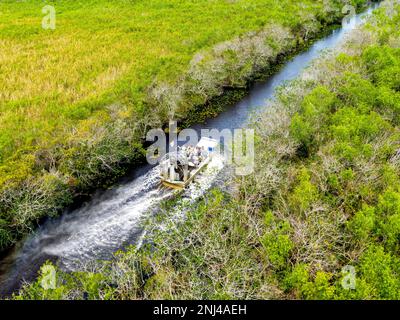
{"x":179,"y":168}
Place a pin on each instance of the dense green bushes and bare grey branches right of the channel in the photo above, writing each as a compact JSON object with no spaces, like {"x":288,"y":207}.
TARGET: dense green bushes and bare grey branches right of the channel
{"x":326,"y":195}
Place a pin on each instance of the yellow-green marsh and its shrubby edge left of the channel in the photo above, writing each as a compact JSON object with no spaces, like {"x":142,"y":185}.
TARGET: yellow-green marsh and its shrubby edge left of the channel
{"x":75,"y":102}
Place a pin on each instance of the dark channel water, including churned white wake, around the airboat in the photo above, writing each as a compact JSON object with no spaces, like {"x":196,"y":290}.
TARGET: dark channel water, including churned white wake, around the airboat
{"x":112,"y":218}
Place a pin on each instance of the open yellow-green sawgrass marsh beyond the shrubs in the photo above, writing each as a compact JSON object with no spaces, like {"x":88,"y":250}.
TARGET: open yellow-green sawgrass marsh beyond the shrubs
{"x":104,"y":52}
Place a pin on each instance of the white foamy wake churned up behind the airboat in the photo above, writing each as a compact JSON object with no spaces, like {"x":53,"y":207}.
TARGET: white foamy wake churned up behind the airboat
{"x":98,"y":228}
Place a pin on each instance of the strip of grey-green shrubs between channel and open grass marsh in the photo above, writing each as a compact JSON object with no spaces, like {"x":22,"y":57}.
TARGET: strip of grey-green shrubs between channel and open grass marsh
{"x":100,"y":141}
